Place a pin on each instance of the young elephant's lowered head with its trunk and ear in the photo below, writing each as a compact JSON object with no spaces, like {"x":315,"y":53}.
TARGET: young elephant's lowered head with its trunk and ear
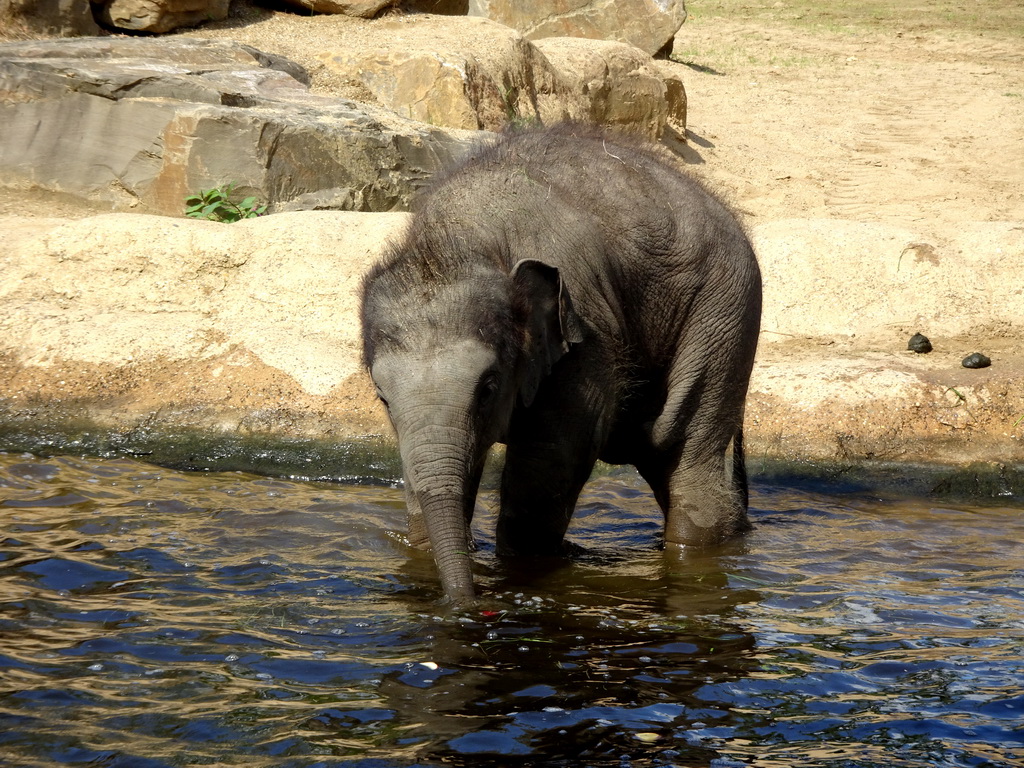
{"x":455,"y":343}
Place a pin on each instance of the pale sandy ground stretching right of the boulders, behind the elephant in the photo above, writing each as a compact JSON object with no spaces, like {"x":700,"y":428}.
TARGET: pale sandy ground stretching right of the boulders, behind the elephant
{"x":923,"y":126}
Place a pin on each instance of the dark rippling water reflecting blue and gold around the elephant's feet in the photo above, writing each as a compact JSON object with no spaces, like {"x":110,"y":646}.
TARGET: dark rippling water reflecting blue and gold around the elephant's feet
{"x":155,"y":618}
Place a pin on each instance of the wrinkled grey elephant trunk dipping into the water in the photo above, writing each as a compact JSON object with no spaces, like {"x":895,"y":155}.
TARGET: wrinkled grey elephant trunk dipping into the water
{"x":443,"y":478}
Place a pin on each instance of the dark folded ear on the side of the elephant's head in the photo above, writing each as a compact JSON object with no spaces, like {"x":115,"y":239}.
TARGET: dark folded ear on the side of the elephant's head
{"x":551,"y":322}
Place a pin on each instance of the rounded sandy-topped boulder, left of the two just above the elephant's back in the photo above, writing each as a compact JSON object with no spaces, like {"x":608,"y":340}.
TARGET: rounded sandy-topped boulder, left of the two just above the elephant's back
{"x":466,"y":73}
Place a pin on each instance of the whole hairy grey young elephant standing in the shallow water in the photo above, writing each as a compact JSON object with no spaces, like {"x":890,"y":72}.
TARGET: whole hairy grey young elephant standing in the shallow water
{"x":576,"y":297}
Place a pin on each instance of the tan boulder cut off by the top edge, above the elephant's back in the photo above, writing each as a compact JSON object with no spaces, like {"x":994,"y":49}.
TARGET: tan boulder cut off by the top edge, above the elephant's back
{"x":650,"y":25}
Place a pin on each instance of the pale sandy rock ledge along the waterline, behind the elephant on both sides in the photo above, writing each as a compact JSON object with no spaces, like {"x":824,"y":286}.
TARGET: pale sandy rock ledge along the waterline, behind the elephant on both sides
{"x":208,"y":345}
